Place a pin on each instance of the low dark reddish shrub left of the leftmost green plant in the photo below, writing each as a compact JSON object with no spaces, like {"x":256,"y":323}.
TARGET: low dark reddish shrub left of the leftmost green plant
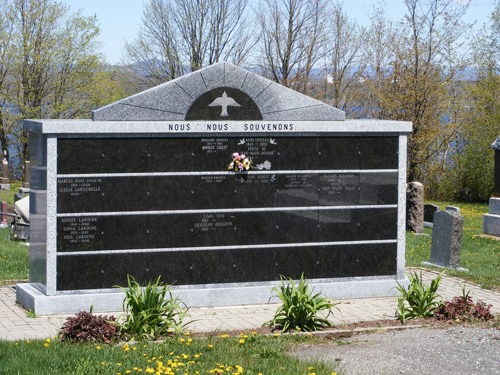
{"x":88,"y":327}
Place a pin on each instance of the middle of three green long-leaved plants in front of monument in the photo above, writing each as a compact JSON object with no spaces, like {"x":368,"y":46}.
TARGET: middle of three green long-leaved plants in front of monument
{"x":300,"y":307}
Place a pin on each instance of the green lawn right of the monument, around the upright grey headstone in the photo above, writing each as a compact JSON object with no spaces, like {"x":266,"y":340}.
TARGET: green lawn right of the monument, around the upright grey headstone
{"x":481,"y":256}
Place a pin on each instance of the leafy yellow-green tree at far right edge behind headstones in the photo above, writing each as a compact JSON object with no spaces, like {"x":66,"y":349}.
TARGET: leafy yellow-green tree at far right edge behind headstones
{"x":470,"y":173}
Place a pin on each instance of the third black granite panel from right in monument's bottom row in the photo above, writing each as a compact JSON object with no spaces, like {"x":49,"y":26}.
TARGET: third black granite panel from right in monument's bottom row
{"x":295,"y":261}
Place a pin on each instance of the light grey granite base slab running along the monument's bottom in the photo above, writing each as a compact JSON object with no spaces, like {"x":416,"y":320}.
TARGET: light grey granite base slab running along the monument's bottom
{"x":31,"y":298}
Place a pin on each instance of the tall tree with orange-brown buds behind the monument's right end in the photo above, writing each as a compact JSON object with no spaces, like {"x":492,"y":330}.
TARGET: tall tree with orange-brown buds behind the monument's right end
{"x":414,"y":68}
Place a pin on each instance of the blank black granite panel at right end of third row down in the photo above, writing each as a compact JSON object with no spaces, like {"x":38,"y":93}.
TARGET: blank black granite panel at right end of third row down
{"x":378,"y":224}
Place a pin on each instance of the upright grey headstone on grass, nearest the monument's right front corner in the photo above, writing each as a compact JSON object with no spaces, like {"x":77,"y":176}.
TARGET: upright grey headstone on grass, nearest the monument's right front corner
{"x":446,"y":244}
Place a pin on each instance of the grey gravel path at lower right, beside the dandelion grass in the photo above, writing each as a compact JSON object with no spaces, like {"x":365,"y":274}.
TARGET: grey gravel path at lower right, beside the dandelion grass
{"x":453,"y":351}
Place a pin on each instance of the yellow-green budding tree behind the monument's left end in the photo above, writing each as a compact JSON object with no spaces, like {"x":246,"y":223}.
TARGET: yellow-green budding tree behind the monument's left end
{"x":48,"y":65}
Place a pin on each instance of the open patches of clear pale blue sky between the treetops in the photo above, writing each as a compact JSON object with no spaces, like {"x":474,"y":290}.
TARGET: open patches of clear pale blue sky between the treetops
{"x":120,"y":19}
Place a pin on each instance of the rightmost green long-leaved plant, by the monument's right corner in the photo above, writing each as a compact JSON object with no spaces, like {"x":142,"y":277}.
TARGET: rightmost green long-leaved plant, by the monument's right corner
{"x":419,"y":300}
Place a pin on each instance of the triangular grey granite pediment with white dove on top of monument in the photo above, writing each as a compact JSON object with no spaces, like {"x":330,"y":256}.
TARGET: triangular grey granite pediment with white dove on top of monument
{"x":175,"y":100}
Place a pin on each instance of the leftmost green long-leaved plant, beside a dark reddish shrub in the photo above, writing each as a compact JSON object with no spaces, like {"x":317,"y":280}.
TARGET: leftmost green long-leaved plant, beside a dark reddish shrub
{"x":150,"y":311}
